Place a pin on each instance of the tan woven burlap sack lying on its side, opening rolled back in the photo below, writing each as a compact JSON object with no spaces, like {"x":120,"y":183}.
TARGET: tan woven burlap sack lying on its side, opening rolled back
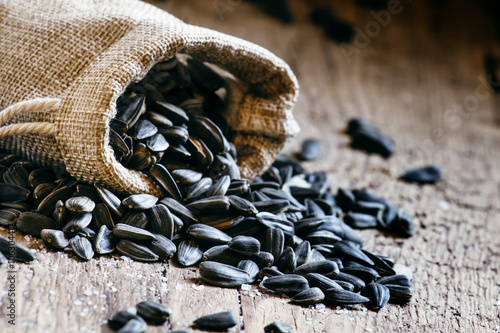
{"x":80,"y":55}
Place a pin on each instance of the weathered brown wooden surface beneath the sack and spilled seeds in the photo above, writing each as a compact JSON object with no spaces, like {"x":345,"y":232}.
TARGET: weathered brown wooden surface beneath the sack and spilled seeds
{"x":421,"y":80}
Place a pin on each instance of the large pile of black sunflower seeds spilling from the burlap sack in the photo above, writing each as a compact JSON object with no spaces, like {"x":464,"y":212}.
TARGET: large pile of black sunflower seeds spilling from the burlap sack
{"x":285,"y":230}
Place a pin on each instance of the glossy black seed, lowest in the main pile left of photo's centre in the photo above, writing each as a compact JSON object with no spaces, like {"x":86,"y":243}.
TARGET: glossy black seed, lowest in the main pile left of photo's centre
{"x":222,"y":275}
